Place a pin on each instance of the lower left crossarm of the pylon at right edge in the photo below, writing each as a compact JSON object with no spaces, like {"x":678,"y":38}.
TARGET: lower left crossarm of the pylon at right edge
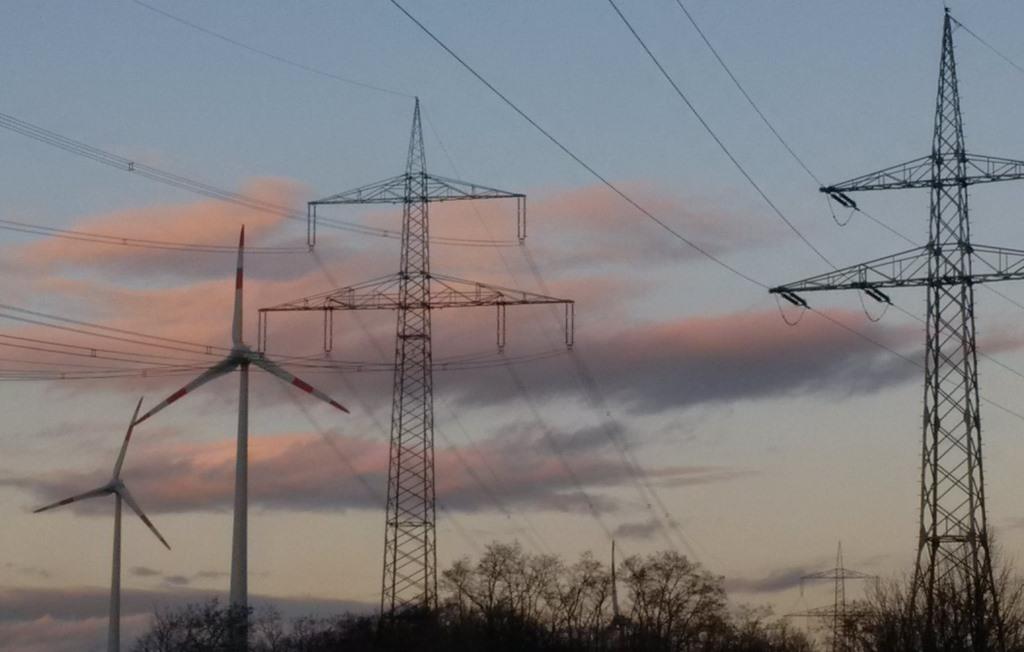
{"x":906,"y":270}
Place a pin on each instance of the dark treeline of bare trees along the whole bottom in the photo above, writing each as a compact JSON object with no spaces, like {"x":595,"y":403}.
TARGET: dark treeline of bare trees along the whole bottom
{"x":515,"y":601}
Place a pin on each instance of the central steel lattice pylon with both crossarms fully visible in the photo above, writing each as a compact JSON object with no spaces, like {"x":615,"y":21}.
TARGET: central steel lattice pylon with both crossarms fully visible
{"x":410,"y":581}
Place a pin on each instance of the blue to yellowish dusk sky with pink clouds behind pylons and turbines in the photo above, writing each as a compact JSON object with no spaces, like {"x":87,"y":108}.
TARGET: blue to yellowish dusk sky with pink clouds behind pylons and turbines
{"x":689,"y":414}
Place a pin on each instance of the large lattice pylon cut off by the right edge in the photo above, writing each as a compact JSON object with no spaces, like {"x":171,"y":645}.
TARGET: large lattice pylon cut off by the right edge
{"x":954,"y":544}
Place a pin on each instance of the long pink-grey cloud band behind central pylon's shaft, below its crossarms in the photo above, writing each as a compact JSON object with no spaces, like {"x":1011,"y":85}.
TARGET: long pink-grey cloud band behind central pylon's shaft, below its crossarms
{"x":539,"y":468}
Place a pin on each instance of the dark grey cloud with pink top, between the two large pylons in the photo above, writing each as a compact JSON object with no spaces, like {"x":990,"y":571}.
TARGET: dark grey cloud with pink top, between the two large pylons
{"x":748,"y":356}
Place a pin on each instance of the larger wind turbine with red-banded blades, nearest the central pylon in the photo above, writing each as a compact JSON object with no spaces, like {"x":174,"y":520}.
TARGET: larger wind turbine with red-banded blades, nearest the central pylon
{"x":241,"y":358}
